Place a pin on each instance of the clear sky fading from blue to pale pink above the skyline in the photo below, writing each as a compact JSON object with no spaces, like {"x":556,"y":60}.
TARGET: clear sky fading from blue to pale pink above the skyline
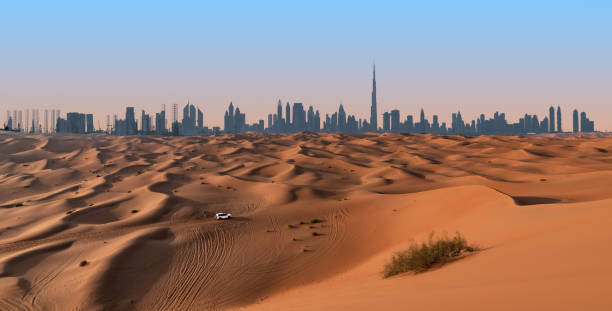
{"x":474,"y":56}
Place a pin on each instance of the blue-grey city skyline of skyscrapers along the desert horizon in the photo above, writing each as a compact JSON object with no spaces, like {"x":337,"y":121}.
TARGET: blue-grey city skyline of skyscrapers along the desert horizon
{"x":294,"y":119}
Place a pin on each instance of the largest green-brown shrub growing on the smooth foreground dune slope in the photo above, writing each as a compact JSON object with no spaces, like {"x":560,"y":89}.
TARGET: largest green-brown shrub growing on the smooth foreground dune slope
{"x":419,"y":258}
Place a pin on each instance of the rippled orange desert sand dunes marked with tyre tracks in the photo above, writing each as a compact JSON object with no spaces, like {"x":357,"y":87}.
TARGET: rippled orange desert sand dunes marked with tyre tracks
{"x":126,"y":223}
